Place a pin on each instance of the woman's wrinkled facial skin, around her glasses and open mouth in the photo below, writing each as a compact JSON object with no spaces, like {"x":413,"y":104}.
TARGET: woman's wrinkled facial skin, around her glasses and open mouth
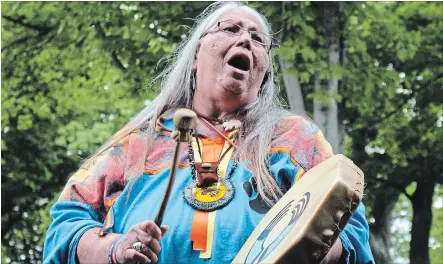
{"x":223,"y":89}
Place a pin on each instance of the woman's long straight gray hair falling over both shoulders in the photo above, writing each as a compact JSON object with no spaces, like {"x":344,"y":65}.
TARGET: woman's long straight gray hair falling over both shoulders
{"x":176,"y":92}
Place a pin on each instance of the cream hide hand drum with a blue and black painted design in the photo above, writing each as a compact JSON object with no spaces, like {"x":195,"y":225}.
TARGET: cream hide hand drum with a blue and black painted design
{"x":307,"y":220}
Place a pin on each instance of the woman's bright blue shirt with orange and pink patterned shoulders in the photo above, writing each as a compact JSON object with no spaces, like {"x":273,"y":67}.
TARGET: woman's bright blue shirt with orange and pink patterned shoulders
{"x":129,"y":184}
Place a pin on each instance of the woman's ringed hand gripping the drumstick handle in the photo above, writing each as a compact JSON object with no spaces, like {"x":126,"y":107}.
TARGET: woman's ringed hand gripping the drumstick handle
{"x":149,"y":234}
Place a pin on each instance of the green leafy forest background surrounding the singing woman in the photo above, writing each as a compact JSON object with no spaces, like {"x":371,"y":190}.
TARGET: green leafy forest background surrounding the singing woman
{"x":369,"y":74}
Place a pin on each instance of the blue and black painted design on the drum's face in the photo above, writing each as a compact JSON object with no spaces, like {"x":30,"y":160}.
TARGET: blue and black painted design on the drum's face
{"x":277,"y":229}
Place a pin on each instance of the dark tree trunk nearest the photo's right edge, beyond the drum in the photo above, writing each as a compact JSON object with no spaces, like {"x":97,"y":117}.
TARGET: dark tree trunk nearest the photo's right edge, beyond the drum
{"x":421,"y":221}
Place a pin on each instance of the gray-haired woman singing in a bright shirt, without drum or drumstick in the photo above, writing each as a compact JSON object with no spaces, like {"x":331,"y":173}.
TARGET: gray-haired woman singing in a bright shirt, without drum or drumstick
{"x":246,"y":151}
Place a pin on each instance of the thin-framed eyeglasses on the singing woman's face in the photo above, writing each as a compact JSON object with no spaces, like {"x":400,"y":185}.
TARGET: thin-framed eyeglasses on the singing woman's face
{"x":231,"y":28}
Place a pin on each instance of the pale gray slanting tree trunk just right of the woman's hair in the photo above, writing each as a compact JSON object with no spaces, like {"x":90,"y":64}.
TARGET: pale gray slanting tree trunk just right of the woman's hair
{"x":293,"y":89}
